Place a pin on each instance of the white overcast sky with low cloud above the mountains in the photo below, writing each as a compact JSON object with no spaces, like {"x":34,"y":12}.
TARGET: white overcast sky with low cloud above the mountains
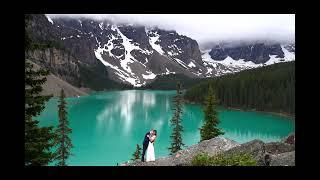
{"x":211,"y":27}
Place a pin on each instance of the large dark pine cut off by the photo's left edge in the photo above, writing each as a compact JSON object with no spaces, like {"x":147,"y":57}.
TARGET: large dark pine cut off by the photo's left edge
{"x":38,"y":140}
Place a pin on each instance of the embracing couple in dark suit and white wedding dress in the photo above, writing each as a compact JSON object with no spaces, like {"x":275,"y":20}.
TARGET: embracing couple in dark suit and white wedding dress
{"x":148,"y":148}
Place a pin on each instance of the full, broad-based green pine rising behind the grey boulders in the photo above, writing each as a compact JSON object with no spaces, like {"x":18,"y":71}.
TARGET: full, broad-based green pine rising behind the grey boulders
{"x":209,"y":129}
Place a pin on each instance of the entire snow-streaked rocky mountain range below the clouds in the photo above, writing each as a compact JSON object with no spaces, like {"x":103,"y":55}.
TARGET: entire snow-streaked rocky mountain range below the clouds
{"x":136,"y":55}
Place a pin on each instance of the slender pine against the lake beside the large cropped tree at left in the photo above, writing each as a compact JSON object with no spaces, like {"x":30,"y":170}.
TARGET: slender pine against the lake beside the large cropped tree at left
{"x":63,"y":132}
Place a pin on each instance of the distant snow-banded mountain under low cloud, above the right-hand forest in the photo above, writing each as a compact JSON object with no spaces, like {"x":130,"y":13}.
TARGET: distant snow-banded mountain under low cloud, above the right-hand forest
{"x":240,"y":57}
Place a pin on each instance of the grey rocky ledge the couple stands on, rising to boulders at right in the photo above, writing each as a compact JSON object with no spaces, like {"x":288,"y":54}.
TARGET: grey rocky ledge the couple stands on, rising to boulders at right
{"x":267,"y":154}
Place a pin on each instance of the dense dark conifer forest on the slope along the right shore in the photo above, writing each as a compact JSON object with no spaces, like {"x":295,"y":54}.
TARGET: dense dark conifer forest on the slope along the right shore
{"x":269,"y":88}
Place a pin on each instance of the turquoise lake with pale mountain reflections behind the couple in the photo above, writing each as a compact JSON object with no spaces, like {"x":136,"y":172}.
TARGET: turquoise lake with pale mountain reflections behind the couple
{"x":107,"y":125}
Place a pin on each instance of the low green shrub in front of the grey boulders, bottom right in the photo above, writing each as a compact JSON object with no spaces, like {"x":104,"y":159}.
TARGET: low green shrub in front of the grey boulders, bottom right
{"x":241,"y":159}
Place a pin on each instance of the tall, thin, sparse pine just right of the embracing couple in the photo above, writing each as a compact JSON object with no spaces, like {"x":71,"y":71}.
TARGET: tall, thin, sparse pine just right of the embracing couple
{"x":176,"y":136}
